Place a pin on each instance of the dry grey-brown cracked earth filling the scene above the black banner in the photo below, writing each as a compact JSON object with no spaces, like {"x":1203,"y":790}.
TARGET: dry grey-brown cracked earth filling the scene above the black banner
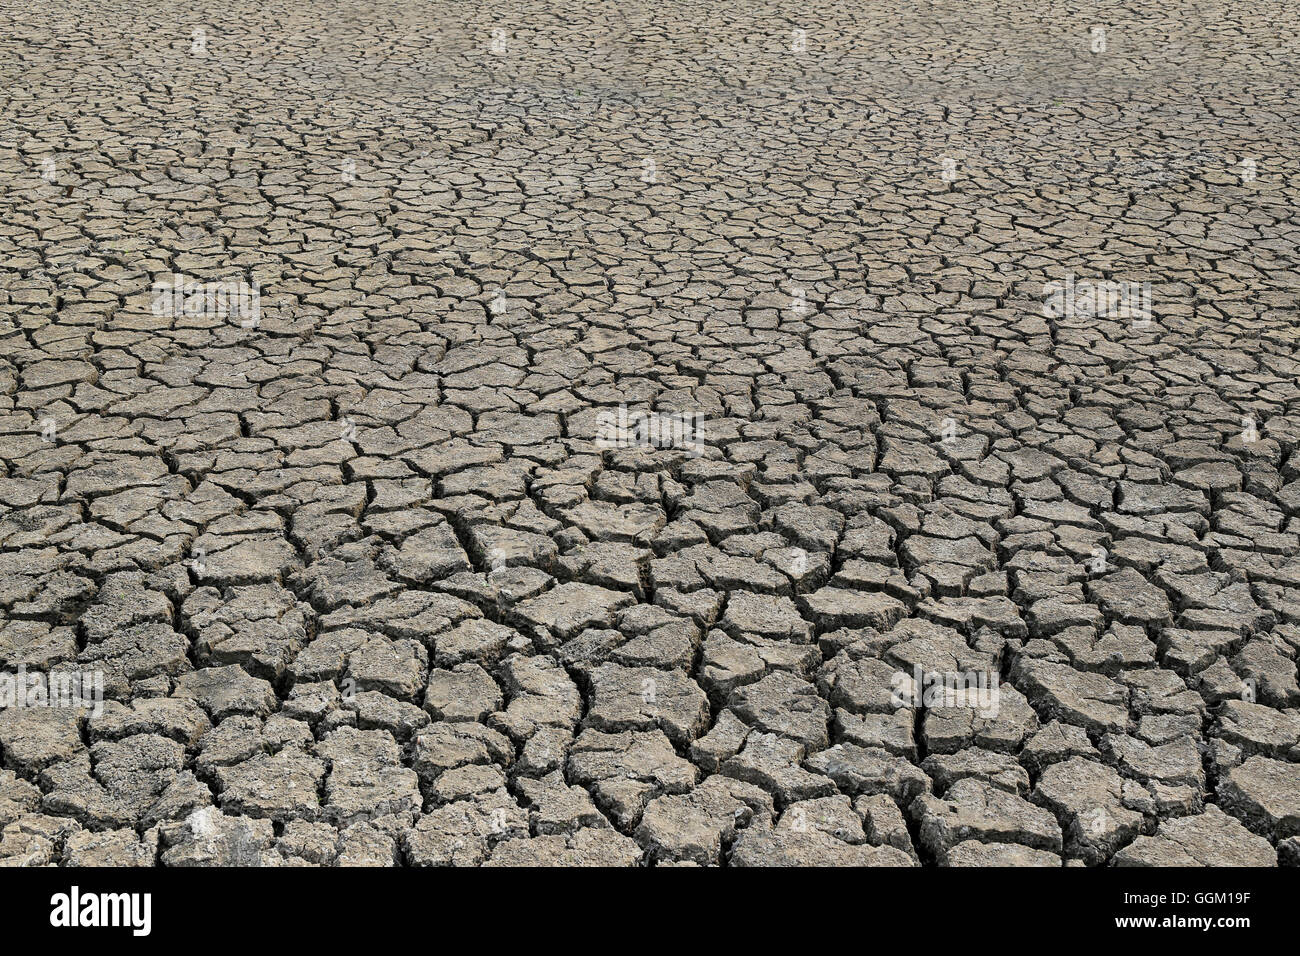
{"x":367,"y":586}
